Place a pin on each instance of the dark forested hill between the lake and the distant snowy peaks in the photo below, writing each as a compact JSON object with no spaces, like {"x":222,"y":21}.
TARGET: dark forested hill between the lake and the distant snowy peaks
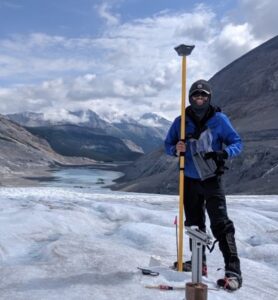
{"x":75,"y":140}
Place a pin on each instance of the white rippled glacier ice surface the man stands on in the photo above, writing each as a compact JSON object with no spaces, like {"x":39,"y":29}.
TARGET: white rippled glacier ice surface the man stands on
{"x":68,"y":243}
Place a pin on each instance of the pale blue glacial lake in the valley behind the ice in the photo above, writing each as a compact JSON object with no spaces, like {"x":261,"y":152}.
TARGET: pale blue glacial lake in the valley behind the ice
{"x":81,"y":178}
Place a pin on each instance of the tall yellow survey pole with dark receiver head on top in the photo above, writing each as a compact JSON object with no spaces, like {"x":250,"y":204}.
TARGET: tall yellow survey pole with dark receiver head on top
{"x":183,"y":51}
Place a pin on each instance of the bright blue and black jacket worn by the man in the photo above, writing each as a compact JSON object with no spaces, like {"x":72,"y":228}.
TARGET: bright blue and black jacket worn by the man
{"x":209,"y":134}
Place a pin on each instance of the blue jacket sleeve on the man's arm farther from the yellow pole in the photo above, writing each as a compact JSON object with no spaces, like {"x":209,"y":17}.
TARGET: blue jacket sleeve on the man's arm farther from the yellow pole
{"x":230,"y":138}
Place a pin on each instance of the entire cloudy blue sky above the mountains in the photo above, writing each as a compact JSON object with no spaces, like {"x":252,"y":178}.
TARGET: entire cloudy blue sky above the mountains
{"x":117,"y":56}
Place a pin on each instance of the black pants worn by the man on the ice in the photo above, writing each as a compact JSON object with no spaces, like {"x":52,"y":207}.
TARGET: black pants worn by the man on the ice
{"x":209,"y":195}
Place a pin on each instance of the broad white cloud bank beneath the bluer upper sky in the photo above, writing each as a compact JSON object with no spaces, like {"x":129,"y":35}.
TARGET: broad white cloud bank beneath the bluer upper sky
{"x":131,"y":65}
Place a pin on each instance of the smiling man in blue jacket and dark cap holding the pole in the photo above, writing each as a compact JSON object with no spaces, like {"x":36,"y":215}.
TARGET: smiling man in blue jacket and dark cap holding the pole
{"x":207,"y":129}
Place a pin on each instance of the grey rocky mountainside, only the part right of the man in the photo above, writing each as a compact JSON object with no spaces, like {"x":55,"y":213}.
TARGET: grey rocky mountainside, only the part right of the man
{"x":247,"y":90}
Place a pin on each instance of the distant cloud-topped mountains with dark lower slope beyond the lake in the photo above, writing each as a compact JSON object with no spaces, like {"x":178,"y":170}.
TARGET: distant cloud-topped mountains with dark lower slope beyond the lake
{"x":85,"y":133}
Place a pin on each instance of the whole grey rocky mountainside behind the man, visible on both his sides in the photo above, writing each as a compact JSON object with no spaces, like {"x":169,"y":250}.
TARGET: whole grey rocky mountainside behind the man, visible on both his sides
{"x":247,"y":91}
